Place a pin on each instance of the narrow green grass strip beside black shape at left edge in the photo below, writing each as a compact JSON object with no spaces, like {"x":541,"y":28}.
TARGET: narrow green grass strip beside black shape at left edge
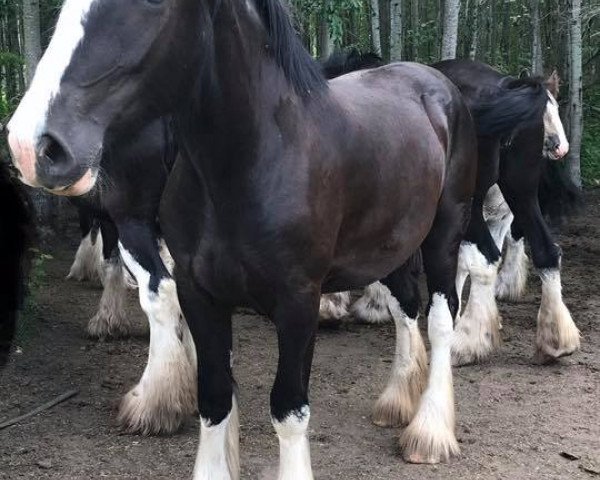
{"x":27,"y":326}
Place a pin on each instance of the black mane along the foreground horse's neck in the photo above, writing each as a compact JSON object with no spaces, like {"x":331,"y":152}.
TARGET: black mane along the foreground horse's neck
{"x":300,"y":69}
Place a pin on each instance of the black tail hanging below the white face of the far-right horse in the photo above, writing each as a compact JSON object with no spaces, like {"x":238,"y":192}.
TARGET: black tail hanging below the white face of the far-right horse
{"x":559,"y":197}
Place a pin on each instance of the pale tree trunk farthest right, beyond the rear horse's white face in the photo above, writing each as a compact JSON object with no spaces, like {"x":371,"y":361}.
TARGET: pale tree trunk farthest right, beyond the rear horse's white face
{"x":575,"y":92}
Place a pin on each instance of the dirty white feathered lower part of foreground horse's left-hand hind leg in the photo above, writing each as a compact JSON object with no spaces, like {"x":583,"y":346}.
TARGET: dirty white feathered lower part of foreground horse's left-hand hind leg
{"x":398,"y":403}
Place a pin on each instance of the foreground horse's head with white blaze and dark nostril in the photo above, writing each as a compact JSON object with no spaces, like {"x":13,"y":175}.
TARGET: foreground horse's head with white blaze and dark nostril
{"x":104,"y":72}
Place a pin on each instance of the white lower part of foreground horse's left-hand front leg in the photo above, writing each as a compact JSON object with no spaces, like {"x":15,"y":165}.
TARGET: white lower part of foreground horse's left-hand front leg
{"x":218,"y":455}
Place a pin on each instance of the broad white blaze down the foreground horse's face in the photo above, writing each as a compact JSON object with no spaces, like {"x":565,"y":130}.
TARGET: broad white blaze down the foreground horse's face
{"x":28,"y":122}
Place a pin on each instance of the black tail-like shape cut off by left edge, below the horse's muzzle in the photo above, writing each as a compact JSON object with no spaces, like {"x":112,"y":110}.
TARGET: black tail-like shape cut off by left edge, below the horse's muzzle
{"x":15,"y":236}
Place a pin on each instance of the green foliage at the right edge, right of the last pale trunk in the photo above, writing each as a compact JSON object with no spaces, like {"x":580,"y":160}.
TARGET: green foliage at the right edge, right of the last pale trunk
{"x":590,"y":143}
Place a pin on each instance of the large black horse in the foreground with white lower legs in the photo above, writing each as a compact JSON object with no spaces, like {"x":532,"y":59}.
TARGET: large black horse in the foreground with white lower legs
{"x":284,"y":187}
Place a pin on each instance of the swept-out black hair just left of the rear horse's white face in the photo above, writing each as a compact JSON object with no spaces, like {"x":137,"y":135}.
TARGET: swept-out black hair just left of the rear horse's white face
{"x":518,"y":103}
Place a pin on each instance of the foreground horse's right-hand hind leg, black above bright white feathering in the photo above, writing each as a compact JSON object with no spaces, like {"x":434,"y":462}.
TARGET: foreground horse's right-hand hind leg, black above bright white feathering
{"x":430,"y":436}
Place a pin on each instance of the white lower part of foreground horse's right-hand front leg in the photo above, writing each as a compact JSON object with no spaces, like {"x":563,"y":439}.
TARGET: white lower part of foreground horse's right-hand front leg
{"x":294,"y":449}
